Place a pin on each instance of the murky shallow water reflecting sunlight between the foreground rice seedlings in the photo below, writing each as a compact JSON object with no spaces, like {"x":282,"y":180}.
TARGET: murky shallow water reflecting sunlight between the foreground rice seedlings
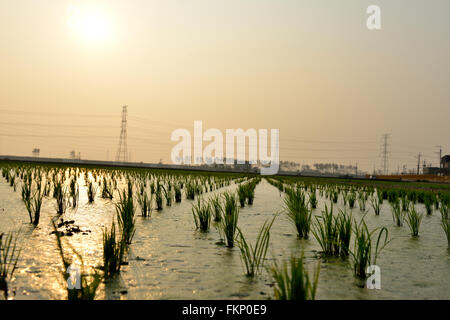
{"x":169,"y":259}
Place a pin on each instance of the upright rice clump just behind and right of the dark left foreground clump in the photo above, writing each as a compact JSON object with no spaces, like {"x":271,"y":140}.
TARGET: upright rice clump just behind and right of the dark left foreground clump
{"x":125,"y":216}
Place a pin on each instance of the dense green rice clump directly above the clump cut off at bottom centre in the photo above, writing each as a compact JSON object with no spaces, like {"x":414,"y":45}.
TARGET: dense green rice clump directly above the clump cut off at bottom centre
{"x":298,"y":212}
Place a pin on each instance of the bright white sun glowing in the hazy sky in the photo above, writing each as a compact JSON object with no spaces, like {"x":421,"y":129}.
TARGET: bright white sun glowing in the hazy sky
{"x":90,"y":24}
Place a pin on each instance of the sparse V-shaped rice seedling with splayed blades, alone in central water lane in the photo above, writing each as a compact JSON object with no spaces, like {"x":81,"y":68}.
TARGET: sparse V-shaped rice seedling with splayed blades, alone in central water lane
{"x":253,"y":257}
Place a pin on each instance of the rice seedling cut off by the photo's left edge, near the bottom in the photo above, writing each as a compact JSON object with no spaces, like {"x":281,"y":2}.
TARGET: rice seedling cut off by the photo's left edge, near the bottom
{"x":9,"y":256}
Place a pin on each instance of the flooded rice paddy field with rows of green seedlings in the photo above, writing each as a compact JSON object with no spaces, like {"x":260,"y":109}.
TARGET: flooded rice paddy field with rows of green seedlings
{"x":154,"y":234}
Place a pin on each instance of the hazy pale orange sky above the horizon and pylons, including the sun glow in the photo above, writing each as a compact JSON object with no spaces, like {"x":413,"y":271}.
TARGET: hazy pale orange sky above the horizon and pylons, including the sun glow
{"x":310,"y":68}
